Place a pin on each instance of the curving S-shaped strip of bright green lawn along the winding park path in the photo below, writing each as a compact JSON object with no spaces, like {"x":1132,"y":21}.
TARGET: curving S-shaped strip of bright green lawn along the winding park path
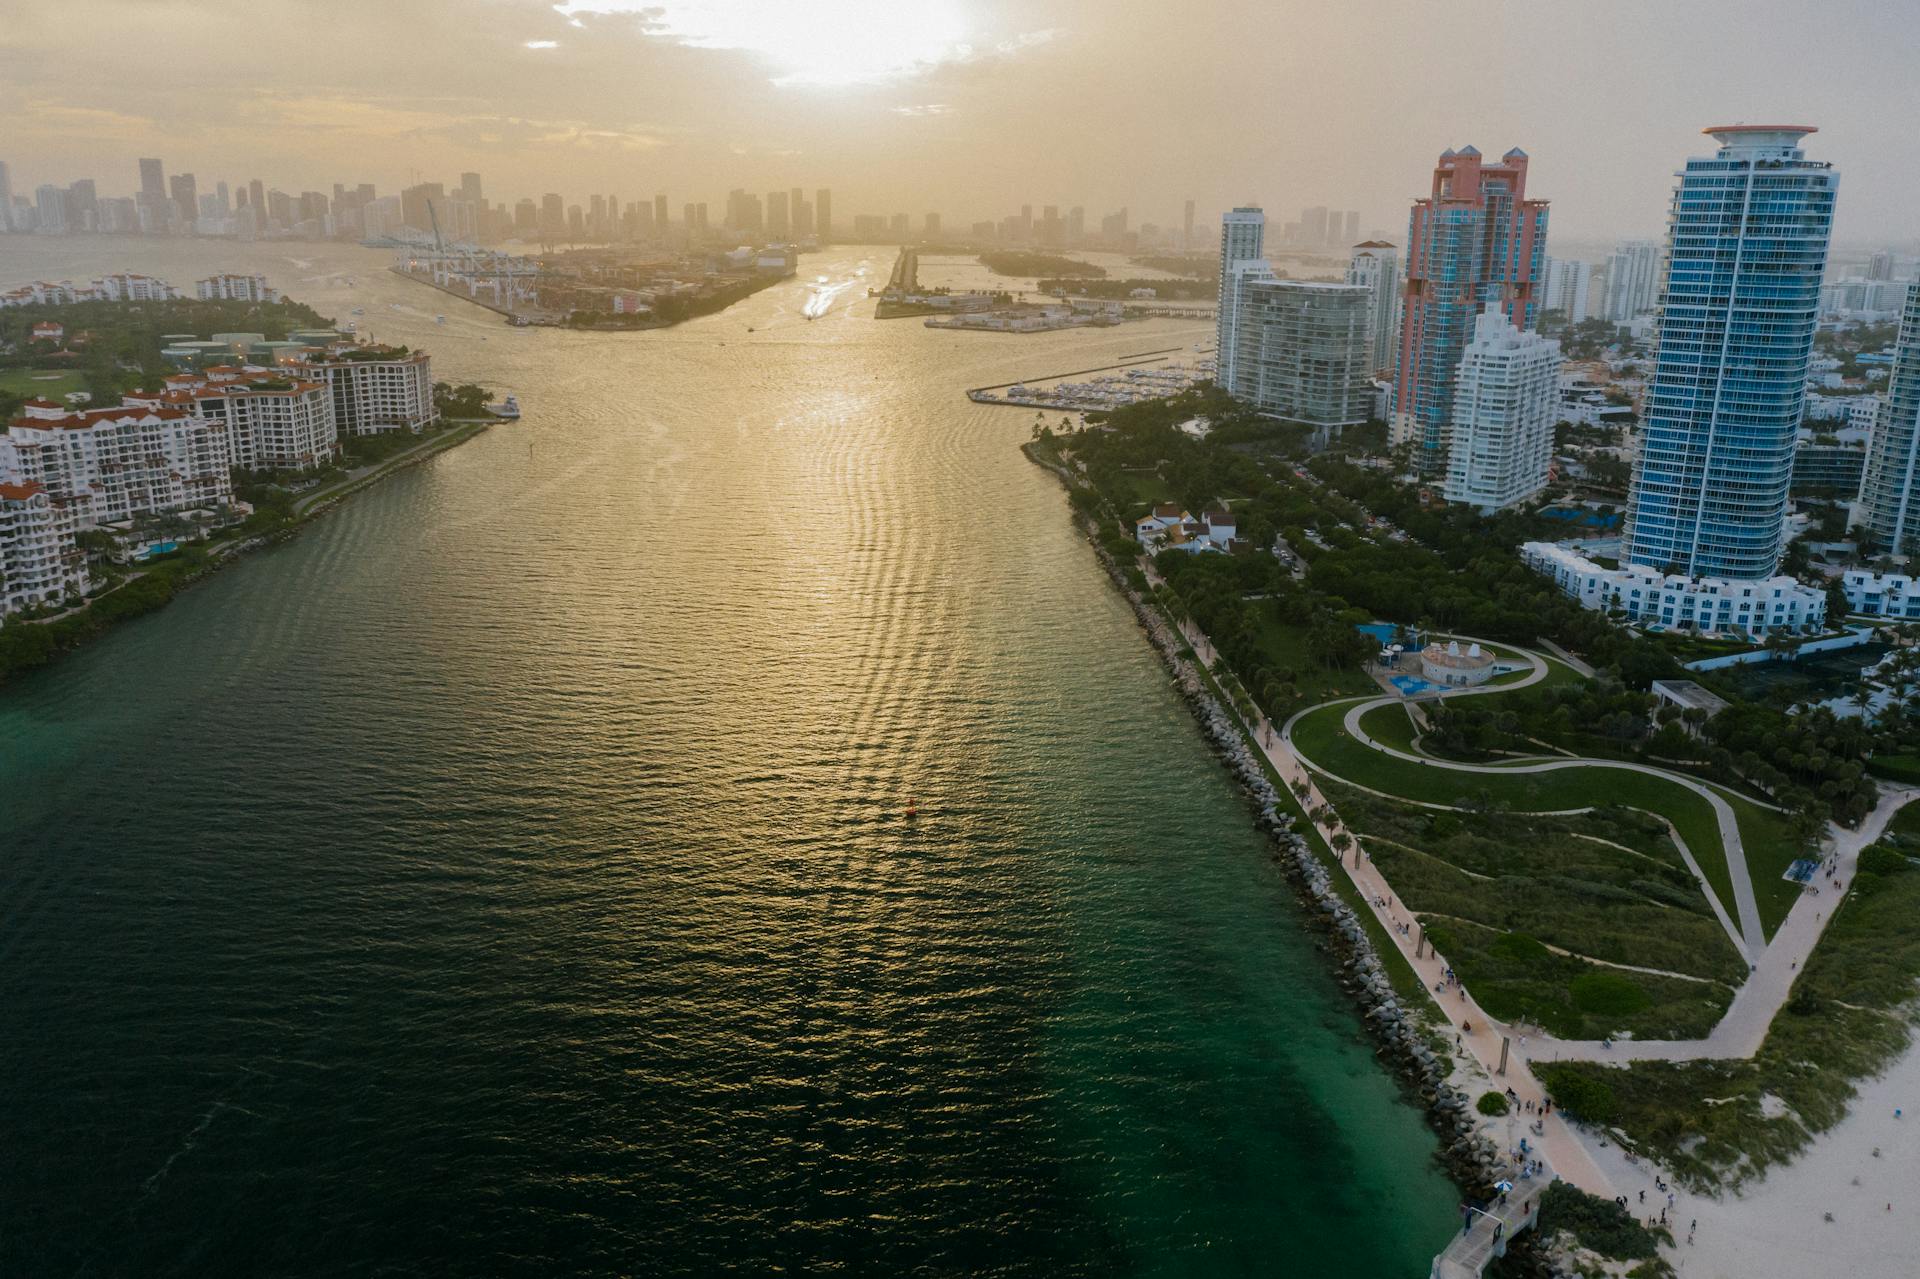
{"x":1324,"y":740}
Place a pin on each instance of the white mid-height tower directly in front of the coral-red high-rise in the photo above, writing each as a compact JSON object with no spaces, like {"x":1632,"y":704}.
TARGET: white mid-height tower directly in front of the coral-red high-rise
{"x":1506,"y":402}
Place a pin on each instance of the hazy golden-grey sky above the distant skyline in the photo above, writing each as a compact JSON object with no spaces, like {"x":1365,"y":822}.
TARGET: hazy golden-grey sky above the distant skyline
{"x":965,"y":107}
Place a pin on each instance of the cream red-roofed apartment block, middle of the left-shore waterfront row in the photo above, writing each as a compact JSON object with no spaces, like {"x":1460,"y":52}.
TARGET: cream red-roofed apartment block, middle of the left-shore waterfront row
{"x":272,"y":422}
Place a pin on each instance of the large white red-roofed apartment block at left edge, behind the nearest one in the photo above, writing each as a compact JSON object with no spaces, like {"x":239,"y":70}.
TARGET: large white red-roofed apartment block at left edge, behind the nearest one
{"x":118,"y":464}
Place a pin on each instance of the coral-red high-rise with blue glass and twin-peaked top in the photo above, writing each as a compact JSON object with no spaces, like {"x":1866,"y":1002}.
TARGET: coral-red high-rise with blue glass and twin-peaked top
{"x":1476,"y":239}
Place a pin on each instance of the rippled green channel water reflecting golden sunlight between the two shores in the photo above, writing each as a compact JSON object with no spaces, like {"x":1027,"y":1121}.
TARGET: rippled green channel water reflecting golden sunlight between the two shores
{"x":510,"y":873}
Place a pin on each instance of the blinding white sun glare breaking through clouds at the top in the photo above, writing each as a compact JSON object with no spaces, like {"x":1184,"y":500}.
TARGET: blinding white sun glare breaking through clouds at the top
{"x":832,"y":43}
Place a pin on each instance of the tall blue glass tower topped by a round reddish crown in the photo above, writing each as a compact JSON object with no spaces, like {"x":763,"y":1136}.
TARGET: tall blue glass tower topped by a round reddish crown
{"x":1746,"y":247}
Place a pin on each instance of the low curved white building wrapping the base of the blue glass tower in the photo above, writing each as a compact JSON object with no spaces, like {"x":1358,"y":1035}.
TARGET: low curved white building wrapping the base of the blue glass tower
{"x":1752,"y":606}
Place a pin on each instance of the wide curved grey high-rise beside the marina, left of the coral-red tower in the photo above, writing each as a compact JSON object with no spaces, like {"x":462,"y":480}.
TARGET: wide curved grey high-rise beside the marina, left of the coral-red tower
{"x":1301,"y":349}
